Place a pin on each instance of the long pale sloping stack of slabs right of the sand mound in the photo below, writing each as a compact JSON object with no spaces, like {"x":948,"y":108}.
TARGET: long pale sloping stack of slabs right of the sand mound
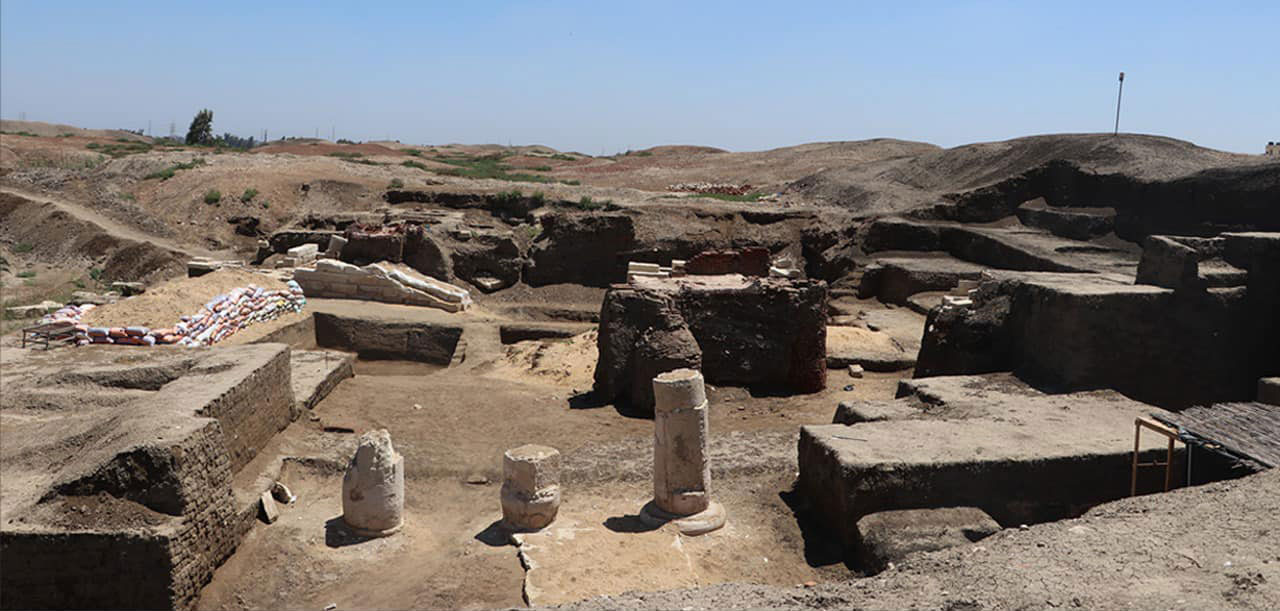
{"x":381,"y":282}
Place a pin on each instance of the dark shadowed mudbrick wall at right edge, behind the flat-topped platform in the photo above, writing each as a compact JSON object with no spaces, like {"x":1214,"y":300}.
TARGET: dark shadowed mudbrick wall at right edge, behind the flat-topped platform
{"x":1071,"y":332}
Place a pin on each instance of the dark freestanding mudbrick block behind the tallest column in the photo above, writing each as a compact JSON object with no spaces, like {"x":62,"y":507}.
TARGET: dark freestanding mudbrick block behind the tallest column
{"x":766,"y":334}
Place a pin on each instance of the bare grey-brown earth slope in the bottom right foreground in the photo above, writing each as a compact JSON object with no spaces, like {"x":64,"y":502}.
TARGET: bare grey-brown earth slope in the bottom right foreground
{"x":1205,"y":548}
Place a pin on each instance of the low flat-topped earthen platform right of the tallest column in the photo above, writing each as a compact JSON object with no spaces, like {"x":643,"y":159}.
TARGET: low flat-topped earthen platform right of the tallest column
{"x":1020,"y":455}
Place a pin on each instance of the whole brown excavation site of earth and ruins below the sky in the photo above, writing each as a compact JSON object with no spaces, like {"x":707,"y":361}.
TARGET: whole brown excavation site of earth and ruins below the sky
{"x":400,"y":389}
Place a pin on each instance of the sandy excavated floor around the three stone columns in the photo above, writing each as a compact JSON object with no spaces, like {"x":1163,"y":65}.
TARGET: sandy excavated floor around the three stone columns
{"x":452,"y":427}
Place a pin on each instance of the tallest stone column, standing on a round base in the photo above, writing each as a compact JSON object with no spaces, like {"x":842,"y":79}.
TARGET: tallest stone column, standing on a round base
{"x":682,"y":471}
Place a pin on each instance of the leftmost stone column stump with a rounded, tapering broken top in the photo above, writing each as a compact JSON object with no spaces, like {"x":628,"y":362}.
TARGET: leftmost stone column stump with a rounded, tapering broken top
{"x":373,"y":490}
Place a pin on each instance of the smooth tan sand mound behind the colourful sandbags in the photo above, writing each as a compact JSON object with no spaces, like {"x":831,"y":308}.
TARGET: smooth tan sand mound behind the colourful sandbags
{"x":163,"y":305}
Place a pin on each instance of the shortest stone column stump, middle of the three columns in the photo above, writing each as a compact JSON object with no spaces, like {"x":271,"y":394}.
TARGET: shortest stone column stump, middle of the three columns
{"x":531,"y":487}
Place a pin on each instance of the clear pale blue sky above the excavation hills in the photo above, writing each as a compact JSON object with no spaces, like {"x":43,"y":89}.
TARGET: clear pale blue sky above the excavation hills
{"x":607,"y":76}
